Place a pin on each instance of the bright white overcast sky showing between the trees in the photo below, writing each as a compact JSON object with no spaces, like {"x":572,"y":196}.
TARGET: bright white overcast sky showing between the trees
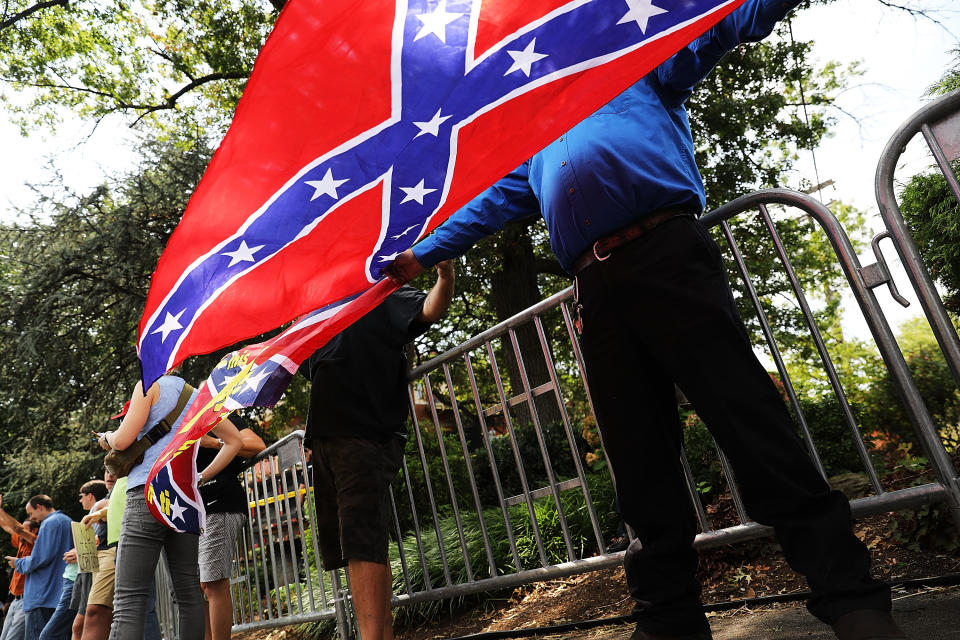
{"x":901,"y":55}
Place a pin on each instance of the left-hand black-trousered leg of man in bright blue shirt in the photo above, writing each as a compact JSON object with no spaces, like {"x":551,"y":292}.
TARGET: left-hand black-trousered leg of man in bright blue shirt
{"x":637,"y":417}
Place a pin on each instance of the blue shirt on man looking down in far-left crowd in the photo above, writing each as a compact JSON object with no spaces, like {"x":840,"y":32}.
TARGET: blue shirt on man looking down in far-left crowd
{"x":44,"y":566}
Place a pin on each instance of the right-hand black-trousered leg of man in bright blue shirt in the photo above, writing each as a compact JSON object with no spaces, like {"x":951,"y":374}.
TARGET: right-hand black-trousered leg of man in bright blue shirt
{"x":687,"y":317}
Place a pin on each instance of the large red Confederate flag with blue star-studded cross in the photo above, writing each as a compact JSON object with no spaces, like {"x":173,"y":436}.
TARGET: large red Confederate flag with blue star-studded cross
{"x":363,"y":126}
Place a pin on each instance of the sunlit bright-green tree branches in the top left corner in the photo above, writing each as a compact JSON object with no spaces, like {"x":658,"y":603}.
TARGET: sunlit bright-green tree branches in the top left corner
{"x":178,"y":64}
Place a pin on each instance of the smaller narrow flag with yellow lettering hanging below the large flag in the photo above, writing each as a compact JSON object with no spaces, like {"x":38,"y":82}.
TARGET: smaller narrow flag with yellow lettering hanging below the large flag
{"x":253,"y":376}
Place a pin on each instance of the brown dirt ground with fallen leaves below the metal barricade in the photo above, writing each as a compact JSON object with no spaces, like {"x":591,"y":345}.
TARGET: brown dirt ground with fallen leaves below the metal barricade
{"x":730,"y":573}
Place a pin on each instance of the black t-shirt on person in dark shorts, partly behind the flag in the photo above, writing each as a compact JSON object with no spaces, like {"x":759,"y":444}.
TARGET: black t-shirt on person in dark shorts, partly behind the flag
{"x":359,"y":378}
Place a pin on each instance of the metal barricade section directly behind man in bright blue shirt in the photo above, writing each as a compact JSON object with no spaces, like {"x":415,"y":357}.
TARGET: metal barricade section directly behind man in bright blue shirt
{"x":484,"y":348}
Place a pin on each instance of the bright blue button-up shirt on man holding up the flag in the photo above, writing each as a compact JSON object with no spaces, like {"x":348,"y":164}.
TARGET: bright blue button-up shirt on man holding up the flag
{"x":630,"y":158}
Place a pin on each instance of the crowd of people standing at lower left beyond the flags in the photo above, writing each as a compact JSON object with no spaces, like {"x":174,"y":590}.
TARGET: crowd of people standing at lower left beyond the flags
{"x":50,"y":598}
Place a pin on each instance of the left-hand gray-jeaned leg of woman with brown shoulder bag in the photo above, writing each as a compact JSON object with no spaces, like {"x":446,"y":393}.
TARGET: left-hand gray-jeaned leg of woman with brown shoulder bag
{"x":141,"y":538}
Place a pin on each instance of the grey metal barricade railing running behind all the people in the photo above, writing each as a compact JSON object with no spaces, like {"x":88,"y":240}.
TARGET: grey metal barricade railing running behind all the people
{"x":494,"y":491}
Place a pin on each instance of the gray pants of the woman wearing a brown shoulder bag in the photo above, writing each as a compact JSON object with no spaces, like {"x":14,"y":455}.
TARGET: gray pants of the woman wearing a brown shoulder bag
{"x":142,"y":538}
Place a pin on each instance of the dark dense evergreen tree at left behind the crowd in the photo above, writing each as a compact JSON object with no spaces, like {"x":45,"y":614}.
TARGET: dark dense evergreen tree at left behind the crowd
{"x":75,"y":279}
